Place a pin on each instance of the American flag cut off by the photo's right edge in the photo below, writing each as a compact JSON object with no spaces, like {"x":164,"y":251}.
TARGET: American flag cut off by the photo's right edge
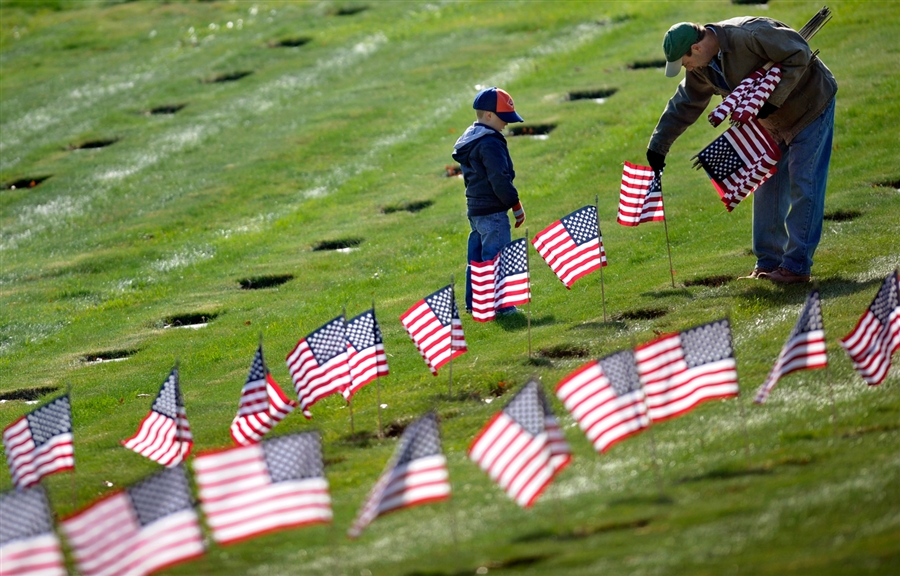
{"x":877,"y":334}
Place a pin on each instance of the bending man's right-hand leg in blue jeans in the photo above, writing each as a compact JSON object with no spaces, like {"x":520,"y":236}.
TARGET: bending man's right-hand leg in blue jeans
{"x":810,"y":156}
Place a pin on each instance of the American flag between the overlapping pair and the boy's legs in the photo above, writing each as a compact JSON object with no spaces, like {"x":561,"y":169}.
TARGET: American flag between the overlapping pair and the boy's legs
{"x":433,"y":324}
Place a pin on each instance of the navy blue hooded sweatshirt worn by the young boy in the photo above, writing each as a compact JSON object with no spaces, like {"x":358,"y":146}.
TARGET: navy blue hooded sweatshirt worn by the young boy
{"x":487,"y":170}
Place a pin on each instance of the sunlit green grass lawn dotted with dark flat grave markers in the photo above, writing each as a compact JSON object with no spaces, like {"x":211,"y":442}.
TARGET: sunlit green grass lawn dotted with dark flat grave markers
{"x":323,"y":142}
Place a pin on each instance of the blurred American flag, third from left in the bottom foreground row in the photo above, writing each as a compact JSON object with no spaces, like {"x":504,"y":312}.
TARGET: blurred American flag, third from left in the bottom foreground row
{"x":276,"y":484}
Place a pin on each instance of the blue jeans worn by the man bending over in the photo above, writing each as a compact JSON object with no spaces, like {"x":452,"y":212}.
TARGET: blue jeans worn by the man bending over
{"x":789,"y":207}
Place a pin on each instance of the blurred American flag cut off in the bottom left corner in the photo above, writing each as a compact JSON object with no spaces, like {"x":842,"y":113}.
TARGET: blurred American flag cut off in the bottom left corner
{"x":28,"y":544}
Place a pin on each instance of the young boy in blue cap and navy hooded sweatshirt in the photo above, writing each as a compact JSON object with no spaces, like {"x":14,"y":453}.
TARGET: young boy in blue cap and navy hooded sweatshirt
{"x":488,"y":173}
